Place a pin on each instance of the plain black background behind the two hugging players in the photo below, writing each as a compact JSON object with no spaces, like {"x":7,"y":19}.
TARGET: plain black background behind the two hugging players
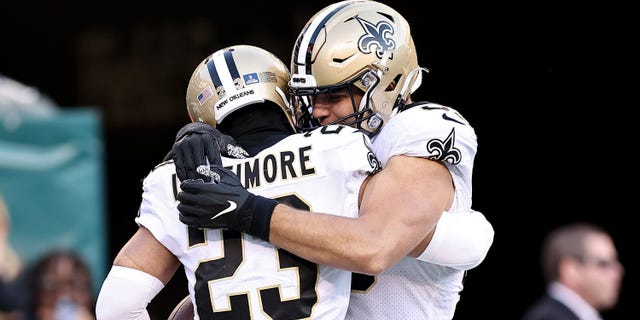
{"x":546,"y":85}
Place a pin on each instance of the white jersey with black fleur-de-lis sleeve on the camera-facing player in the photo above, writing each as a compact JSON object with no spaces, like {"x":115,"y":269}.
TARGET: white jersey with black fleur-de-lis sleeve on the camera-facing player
{"x":414,"y":289}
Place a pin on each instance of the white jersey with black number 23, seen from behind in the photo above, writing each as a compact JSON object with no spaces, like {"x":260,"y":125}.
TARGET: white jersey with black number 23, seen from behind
{"x":236,"y":276}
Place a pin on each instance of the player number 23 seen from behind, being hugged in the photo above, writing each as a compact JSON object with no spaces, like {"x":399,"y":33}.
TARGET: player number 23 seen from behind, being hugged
{"x":231,"y":275}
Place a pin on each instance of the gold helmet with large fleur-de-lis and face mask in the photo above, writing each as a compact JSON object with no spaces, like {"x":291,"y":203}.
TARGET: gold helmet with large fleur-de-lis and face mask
{"x":359,"y":43}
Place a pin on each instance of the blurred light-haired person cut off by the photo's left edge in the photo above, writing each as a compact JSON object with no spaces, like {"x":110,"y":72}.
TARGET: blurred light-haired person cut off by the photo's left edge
{"x":12,"y":290}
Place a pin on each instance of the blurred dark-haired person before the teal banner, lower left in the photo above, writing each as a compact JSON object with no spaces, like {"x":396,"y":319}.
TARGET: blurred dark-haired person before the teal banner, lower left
{"x":60,"y":288}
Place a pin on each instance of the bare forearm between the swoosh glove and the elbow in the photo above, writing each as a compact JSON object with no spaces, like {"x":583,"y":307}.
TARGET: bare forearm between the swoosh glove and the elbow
{"x":340,"y":242}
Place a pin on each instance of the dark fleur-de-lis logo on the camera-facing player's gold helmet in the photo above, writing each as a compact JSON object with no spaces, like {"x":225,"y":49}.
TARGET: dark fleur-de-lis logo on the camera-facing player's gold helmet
{"x":378,"y":38}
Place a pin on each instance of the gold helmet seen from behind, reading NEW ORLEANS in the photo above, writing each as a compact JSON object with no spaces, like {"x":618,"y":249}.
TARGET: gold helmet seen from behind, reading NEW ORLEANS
{"x":234,"y":77}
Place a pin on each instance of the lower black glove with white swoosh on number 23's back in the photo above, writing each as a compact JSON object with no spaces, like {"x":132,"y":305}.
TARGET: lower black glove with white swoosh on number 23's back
{"x":224,"y":205}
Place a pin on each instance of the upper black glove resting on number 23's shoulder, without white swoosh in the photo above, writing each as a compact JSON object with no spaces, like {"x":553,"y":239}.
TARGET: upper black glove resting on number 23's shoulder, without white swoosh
{"x":198,"y":142}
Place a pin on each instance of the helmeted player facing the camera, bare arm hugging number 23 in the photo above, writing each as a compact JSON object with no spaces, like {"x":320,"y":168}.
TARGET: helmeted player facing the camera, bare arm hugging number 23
{"x":355,"y":63}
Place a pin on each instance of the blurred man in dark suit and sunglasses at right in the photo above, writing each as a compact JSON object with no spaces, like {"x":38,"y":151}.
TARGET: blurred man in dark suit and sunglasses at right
{"x":583,"y":274}
